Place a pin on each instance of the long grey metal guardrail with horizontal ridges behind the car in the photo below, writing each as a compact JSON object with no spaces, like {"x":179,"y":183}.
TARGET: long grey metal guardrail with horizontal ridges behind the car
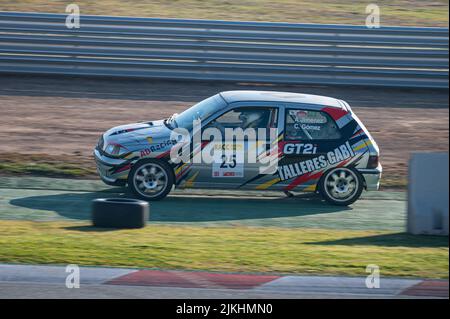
{"x":224,"y":50}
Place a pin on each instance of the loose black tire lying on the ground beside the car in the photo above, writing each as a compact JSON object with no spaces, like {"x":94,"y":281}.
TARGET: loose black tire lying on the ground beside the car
{"x":119,"y":213}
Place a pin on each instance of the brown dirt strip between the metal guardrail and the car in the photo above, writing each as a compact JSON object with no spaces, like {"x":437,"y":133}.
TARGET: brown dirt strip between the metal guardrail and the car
{"x":57,"y":127}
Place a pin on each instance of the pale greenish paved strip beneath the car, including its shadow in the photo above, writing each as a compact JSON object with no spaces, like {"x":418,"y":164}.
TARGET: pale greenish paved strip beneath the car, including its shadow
{"x":45,"y":199}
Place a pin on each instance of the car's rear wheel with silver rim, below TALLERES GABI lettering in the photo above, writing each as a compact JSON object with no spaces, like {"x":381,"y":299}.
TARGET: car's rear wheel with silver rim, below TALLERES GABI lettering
{"x":341,"y":186}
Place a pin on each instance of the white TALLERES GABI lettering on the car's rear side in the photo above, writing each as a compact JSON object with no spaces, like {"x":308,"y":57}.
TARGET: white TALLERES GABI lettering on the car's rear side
{"x":333,"y":157}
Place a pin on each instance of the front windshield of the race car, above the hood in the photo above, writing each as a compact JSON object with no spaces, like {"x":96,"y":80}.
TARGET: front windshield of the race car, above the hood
{"x":200,"y":111}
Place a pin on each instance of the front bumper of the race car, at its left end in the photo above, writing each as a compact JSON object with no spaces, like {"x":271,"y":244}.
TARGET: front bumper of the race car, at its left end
{"x":111,"y":169}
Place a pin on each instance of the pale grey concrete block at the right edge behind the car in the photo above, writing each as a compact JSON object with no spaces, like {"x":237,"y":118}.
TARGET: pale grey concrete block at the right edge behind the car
{"x":428,"y":194}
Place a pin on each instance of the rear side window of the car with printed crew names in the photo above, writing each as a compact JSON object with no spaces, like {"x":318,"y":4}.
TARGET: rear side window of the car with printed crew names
{"x":310,"y":125}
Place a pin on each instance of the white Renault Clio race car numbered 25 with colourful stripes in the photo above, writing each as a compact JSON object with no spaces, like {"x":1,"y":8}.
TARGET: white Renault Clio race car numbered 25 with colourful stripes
{"x":321,"y":146}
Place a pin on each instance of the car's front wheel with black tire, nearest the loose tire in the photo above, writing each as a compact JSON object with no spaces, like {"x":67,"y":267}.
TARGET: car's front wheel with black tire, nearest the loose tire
{"x":135,"y":185}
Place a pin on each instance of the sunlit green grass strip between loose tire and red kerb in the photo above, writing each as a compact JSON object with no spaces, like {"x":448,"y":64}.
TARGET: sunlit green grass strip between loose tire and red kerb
{"x":230,"y":249}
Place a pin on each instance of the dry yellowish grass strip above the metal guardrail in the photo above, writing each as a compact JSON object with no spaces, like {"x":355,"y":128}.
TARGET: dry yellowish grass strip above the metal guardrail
{"x":393,"y":12}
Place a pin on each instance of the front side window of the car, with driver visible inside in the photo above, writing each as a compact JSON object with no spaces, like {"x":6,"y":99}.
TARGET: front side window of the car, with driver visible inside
{"x":247,"y":118}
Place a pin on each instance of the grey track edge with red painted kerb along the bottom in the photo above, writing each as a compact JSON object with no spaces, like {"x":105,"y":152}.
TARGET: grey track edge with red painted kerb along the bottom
{"x":20,"y":281}
